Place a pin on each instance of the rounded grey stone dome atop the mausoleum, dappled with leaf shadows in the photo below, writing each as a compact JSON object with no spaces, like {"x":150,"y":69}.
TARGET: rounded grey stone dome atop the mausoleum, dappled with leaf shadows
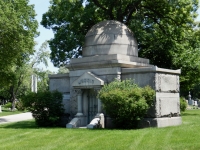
{"x":110,"y":37}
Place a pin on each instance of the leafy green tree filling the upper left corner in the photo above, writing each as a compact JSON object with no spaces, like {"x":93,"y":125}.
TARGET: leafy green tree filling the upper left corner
{"x":17,"y":31}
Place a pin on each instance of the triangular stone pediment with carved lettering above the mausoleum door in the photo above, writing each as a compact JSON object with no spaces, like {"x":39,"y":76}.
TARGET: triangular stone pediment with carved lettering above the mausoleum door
{"x":88,"y":80}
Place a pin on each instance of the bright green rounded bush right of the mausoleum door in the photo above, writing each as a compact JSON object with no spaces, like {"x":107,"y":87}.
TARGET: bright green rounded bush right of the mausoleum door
{"x":125,"y":102}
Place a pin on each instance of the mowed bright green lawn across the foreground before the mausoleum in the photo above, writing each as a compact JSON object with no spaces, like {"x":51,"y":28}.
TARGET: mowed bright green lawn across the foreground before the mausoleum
{"x":27,"y":136}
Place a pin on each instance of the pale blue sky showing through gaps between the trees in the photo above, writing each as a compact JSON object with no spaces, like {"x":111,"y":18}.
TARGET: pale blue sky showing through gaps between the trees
{"x":41,"y":6}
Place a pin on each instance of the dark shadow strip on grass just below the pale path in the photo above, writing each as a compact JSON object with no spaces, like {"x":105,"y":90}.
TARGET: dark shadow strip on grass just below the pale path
{"x":20,"y":125}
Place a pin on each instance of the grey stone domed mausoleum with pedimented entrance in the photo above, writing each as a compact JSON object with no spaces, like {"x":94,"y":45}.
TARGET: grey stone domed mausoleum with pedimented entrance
{"x":110,"y":51}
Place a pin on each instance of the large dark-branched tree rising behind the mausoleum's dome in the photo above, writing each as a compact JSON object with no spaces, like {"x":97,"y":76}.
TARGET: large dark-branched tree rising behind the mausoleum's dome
{"x":165,"y":30}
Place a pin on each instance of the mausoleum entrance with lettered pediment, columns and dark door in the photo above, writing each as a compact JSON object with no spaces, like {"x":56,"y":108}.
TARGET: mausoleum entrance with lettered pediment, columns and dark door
{"x":89,"y":106}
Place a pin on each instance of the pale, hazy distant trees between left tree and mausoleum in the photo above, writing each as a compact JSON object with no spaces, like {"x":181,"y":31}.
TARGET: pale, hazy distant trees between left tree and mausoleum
{"x":20,"y":83}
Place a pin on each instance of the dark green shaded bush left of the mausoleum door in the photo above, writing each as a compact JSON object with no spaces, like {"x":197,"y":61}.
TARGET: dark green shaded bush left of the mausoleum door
{"x":46,"y":107}
